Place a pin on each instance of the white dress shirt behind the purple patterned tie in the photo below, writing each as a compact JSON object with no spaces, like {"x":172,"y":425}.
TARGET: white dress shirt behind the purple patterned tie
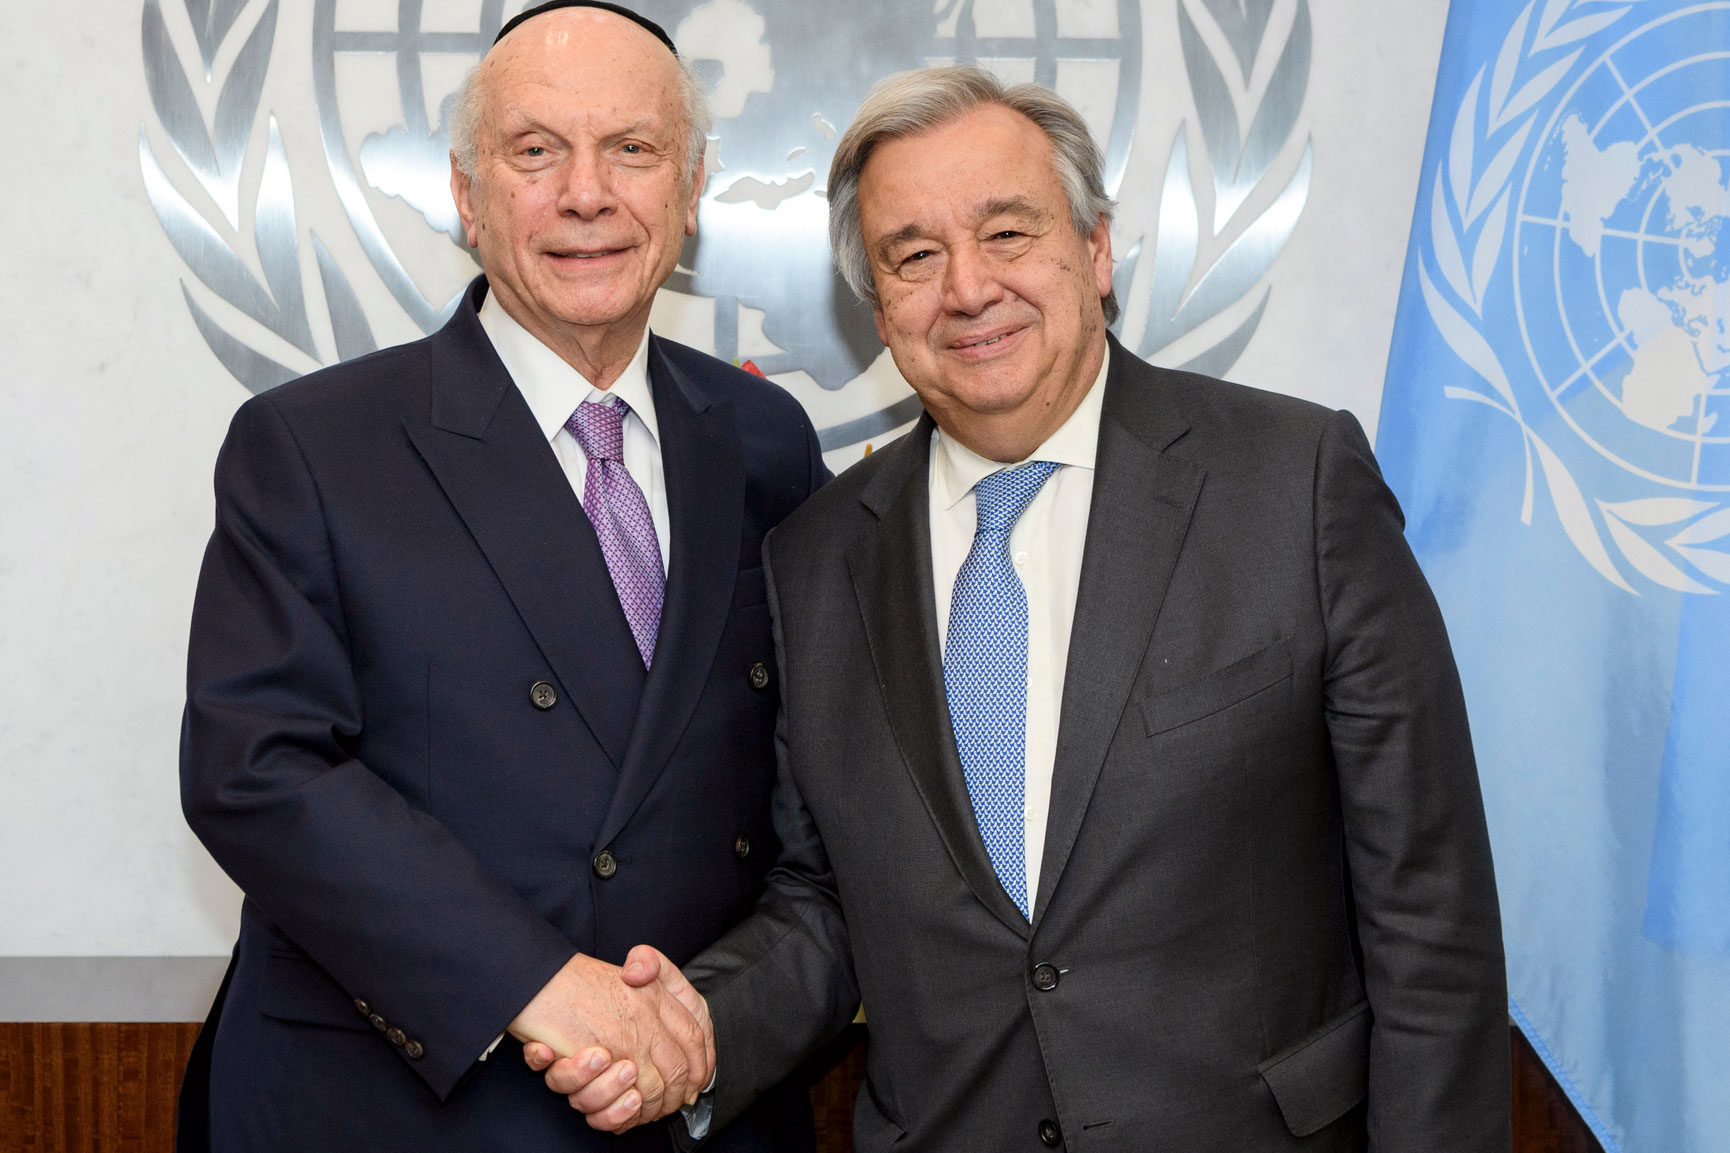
{"x":554,"y":390}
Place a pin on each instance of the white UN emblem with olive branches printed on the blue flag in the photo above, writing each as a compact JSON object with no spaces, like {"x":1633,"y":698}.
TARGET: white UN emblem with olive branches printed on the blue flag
{"x":1579,"y":259}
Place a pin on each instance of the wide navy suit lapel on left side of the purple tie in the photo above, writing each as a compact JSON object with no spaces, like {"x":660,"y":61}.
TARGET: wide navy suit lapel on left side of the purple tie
{"x":501,"y":475}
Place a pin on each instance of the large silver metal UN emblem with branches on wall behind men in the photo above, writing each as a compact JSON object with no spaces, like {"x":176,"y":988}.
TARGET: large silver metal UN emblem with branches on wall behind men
{"x":785,"y":79}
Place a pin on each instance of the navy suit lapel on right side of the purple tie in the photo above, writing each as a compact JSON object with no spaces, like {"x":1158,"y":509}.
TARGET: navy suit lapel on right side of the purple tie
{"x":705,"y":493}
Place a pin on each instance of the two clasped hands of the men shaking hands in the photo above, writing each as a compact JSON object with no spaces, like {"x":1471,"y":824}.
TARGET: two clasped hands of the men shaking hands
{"x":625,"y":1045}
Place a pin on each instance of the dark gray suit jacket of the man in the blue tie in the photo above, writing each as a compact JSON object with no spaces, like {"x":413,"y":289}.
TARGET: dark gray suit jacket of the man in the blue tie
{"x":1267,"y":903}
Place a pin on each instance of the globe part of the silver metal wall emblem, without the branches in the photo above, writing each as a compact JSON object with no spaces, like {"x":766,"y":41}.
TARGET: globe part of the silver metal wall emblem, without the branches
{"x":785,"y":79}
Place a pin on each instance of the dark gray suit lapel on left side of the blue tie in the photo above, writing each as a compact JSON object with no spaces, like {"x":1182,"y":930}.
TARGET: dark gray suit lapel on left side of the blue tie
{"x":892,"y":579}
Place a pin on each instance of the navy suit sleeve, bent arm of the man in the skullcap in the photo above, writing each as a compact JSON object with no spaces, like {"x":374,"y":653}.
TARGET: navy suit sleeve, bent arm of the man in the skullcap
{"x":381,"y":896}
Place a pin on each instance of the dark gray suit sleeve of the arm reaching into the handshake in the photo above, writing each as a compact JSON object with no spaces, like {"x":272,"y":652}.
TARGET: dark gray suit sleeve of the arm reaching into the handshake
{"x":781,"y":984}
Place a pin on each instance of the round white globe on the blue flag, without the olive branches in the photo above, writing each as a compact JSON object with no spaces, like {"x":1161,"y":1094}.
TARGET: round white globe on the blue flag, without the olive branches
{"x":1622,"y":264}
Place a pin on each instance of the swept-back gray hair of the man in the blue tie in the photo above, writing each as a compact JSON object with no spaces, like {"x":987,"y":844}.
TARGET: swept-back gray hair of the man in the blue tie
{"x":909,"y":105}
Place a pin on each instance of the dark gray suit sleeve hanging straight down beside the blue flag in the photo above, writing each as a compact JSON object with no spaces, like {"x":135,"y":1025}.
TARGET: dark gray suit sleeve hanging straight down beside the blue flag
{"x":1416,"y":841}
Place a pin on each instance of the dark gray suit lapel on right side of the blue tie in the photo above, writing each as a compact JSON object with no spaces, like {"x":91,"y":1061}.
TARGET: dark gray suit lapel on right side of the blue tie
{"x":1141,"y":513}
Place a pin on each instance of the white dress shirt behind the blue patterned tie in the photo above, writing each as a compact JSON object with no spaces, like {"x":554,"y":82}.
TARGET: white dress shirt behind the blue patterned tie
{"x":1046,"y":548}
